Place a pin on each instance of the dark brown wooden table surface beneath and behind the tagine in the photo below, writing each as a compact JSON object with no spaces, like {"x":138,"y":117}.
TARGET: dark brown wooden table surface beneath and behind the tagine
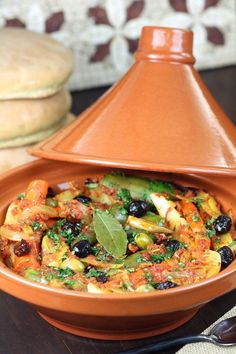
{"x":22,"y":331}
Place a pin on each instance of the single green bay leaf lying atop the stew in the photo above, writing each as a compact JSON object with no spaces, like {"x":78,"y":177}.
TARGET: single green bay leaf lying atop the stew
{"x":110,"y":234}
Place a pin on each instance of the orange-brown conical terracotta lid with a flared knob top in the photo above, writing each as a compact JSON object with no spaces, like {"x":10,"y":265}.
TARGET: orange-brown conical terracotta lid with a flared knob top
{"x":159,"y":117}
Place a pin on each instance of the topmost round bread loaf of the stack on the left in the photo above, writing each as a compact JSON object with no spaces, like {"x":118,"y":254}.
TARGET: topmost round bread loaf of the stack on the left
{"x":32,"y":64}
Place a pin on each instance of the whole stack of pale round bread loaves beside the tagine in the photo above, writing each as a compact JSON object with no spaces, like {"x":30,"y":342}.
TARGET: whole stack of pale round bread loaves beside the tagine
{"x":33,"y":102}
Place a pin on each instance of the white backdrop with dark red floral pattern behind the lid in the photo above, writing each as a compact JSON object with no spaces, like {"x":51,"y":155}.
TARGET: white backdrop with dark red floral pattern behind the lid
{"x":103,"y":34}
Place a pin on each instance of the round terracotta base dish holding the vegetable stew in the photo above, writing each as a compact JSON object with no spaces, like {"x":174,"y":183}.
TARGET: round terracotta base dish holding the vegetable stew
{"x":112,"y":316}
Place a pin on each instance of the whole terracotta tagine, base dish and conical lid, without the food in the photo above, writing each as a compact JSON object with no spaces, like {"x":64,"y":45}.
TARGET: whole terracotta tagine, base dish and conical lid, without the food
{"x":158,"y":117}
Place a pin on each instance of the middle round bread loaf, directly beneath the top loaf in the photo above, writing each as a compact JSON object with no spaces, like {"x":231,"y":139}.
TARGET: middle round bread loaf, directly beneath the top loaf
{"x":27,"y":121}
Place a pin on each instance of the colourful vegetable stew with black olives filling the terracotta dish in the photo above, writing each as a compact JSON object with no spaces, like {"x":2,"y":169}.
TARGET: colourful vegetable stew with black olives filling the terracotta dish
{"x":117,"y":234}
